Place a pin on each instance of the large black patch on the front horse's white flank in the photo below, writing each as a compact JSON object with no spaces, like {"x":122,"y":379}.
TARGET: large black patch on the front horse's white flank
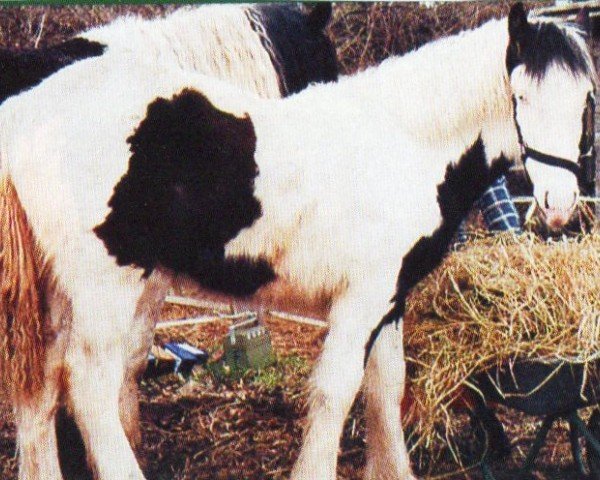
{"x":188,"y":191}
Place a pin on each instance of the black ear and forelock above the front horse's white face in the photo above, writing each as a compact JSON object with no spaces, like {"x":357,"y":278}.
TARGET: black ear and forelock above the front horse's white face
{"x":539,"y":45}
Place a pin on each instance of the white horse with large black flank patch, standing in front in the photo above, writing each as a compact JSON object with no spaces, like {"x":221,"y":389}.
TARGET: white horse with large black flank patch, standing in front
{"x":334,"y":189}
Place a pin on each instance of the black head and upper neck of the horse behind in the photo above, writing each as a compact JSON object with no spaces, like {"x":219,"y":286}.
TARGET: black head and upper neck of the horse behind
{"x":304,"y":51}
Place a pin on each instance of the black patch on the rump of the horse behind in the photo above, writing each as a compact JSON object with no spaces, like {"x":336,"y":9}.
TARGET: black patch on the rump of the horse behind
{"x":23,"y":69}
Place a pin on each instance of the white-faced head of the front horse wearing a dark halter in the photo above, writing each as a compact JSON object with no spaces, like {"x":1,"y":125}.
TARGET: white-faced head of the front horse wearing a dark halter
{"x":552,"y":82}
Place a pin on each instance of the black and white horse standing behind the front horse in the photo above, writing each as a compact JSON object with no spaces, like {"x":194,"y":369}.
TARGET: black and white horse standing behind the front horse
{"x":268,"y":50}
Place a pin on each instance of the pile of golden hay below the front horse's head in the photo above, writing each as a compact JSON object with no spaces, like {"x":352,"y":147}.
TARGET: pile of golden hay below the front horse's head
{"x":493,"y":301}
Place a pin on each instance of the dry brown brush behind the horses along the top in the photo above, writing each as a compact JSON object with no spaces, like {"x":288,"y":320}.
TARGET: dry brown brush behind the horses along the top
{"x":364,"y":33}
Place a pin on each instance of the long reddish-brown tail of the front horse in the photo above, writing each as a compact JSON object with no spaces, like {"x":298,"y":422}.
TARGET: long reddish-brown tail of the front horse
{"x":22,"y":326}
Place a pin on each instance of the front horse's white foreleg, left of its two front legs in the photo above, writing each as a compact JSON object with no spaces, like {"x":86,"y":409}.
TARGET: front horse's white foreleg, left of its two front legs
{"x":335,"y":381}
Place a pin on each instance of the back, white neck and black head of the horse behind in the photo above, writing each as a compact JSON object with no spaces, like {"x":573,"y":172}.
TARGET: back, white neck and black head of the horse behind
{"x":270,"y":49}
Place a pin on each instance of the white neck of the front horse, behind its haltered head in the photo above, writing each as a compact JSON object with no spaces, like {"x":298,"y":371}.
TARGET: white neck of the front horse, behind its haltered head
{"x":449,"y":92}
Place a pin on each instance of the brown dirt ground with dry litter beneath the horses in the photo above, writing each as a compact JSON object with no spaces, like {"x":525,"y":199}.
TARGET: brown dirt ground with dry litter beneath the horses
{"x":211,"y":427}
